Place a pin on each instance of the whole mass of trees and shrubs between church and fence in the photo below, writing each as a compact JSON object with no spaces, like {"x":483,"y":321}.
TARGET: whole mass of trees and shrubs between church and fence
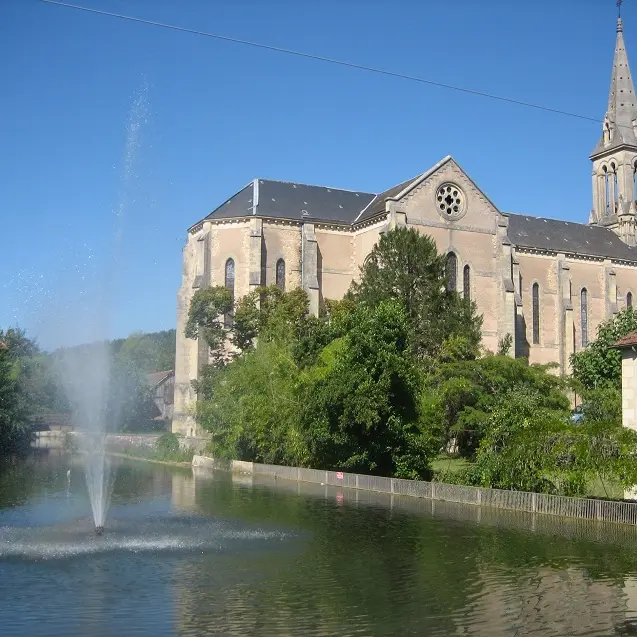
{"x":380,"y":382}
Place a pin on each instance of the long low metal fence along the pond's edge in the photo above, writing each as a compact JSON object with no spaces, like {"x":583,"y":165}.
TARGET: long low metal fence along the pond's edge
{"x":579,"y":508}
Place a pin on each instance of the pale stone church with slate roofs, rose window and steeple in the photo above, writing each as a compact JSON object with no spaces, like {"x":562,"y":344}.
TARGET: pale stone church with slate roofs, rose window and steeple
{"x":548,"y":283}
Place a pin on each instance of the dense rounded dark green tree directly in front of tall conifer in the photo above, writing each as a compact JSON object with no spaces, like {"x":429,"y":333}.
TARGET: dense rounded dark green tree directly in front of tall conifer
{"x":360,"y":405}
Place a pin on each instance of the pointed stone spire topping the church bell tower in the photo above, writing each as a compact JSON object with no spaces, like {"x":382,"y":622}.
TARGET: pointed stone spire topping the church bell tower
{"x":620,"y":121}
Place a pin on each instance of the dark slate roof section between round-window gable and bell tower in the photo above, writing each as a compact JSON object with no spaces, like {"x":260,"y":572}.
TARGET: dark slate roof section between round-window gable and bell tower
{"x":566,"y":236}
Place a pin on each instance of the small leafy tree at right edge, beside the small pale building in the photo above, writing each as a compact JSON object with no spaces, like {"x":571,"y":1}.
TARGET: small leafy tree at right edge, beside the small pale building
{"x":599,"y":365}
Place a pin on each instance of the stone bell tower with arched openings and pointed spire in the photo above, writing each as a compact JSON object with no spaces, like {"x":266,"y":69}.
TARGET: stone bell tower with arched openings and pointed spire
{"x":615,"y":156}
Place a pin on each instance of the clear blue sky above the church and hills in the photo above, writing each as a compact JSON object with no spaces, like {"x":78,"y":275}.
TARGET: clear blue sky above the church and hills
{"x":118,"y":136}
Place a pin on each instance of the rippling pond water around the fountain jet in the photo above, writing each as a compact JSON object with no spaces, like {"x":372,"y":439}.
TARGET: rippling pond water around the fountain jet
{"x":196,"y":553}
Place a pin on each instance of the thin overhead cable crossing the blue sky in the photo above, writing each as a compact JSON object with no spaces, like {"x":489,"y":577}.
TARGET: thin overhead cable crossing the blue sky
{"x":320,"y":58}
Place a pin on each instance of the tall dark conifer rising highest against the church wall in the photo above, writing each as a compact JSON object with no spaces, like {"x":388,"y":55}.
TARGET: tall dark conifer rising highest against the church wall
{"x":405,"y":266}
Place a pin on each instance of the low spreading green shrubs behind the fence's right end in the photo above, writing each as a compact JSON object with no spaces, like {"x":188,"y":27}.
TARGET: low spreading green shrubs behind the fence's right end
{"x":531,"y":446}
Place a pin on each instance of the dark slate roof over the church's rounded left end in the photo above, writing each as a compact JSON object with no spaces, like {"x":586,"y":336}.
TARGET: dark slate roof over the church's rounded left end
{"x":287,"y":200}
